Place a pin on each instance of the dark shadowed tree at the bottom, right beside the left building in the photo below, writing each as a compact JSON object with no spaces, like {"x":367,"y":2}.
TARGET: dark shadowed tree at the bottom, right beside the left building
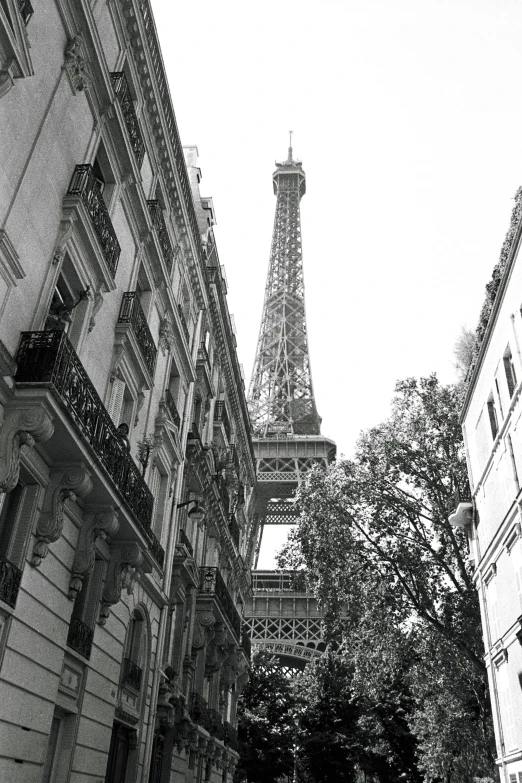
{"x":265,"y":724}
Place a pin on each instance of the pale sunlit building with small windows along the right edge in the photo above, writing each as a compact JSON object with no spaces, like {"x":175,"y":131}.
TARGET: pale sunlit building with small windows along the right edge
{"x":492,"y":426}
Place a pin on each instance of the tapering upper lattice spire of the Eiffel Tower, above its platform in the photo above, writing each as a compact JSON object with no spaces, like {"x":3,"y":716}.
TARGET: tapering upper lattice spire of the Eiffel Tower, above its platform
{"x":281,"y":397}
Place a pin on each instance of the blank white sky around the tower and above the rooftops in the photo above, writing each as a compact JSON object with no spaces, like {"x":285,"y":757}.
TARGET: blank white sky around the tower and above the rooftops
{"x":407,"y":115}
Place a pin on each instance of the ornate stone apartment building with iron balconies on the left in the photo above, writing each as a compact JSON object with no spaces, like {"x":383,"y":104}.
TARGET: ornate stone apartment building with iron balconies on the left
{"x":126,"y":462}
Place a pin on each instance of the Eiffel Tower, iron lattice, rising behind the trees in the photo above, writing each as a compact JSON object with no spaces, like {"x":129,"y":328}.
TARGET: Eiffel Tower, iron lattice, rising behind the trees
{"x":283,"y":616}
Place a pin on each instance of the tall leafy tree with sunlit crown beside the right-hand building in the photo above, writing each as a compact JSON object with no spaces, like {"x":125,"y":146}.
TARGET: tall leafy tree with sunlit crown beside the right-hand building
{"x":395,"y":579}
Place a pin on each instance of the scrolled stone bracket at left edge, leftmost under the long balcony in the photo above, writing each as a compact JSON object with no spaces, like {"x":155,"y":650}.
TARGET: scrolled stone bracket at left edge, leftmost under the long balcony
{"x":20,"y":427}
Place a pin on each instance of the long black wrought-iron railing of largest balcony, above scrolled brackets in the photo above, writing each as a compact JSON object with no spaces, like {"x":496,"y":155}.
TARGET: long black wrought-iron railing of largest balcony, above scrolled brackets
{"x":49,"y":358}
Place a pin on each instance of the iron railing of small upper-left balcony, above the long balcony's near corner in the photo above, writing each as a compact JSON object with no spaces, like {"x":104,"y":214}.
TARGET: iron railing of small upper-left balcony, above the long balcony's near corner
{"x":84,"y":184}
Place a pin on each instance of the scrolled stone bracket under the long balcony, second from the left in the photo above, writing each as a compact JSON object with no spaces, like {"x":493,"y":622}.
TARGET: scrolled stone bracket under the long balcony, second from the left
{"x":64,"y":485}
